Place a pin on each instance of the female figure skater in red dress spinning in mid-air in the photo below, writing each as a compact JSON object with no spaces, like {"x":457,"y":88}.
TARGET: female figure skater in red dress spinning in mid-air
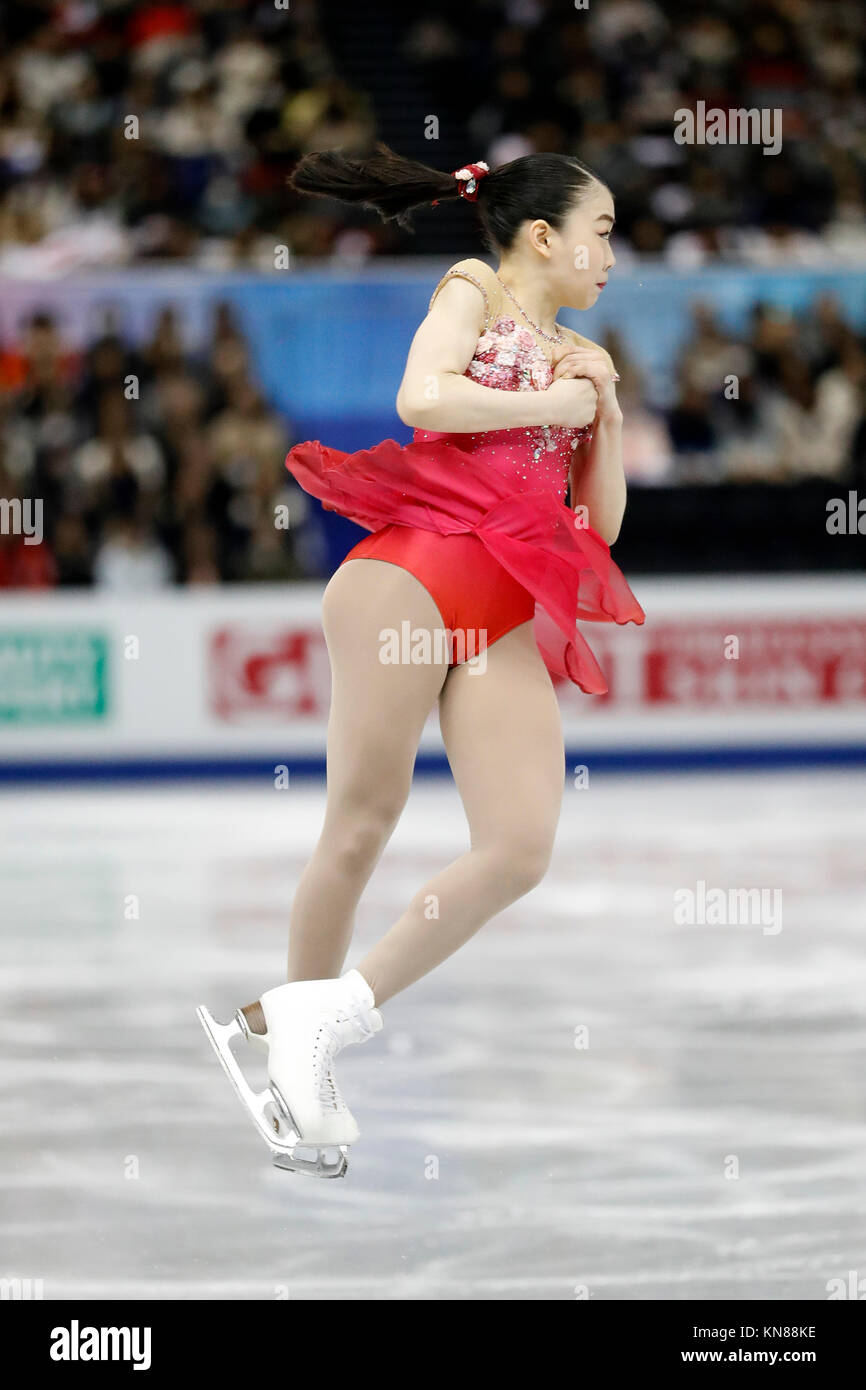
{"x":489,"y":539}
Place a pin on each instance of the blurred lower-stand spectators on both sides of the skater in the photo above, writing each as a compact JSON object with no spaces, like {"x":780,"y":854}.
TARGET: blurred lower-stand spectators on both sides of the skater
{"x":156,"y":466}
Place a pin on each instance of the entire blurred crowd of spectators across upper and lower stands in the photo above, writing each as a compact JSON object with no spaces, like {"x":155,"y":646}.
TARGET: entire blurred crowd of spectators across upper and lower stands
{"x":165,"y":131}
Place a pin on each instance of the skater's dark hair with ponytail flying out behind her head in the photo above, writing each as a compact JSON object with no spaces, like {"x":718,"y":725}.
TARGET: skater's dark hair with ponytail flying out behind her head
{"x":534,"y":186}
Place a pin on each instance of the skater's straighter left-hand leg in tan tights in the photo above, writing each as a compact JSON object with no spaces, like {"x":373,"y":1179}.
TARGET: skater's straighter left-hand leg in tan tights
{"x":376,"y":721}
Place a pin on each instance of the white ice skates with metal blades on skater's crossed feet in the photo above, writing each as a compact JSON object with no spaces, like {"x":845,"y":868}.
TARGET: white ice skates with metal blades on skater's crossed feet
{"x":308,"y":1024}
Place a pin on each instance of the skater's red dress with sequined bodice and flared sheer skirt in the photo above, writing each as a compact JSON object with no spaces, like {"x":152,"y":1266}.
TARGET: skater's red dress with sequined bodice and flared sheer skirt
{"x":482,"y":519}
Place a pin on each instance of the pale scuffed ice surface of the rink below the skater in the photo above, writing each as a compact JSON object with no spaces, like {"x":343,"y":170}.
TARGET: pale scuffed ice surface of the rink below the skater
{"x":587,"y":1102}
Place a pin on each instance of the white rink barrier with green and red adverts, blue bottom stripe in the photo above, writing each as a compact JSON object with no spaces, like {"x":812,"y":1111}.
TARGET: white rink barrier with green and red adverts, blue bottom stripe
{"x":234,"y":682}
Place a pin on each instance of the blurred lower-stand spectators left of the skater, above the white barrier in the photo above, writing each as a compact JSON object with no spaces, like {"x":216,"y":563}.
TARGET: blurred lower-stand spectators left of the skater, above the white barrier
{"x":154,"y":466}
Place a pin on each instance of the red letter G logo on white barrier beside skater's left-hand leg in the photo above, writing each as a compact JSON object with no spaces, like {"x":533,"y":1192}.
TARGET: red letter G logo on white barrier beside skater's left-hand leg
{"x":261,"y":676}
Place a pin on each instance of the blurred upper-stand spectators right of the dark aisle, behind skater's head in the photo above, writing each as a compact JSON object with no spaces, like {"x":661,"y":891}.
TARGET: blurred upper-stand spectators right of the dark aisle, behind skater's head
{"x":607,"y":84}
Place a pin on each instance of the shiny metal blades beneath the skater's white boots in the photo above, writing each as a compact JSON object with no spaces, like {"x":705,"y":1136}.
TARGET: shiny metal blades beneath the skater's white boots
{"x":269,"y":1111}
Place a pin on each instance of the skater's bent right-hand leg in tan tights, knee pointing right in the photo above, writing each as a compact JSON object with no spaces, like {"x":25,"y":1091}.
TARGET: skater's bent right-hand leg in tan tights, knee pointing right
{"x":503,"y":733}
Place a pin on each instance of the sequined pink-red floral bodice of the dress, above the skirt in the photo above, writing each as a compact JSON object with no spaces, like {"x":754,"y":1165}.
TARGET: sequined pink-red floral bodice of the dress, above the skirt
{"x":508,"y":358}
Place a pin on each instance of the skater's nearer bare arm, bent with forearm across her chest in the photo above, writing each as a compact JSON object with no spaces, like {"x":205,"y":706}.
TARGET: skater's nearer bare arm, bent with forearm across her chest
{"x":436,"y":395}
